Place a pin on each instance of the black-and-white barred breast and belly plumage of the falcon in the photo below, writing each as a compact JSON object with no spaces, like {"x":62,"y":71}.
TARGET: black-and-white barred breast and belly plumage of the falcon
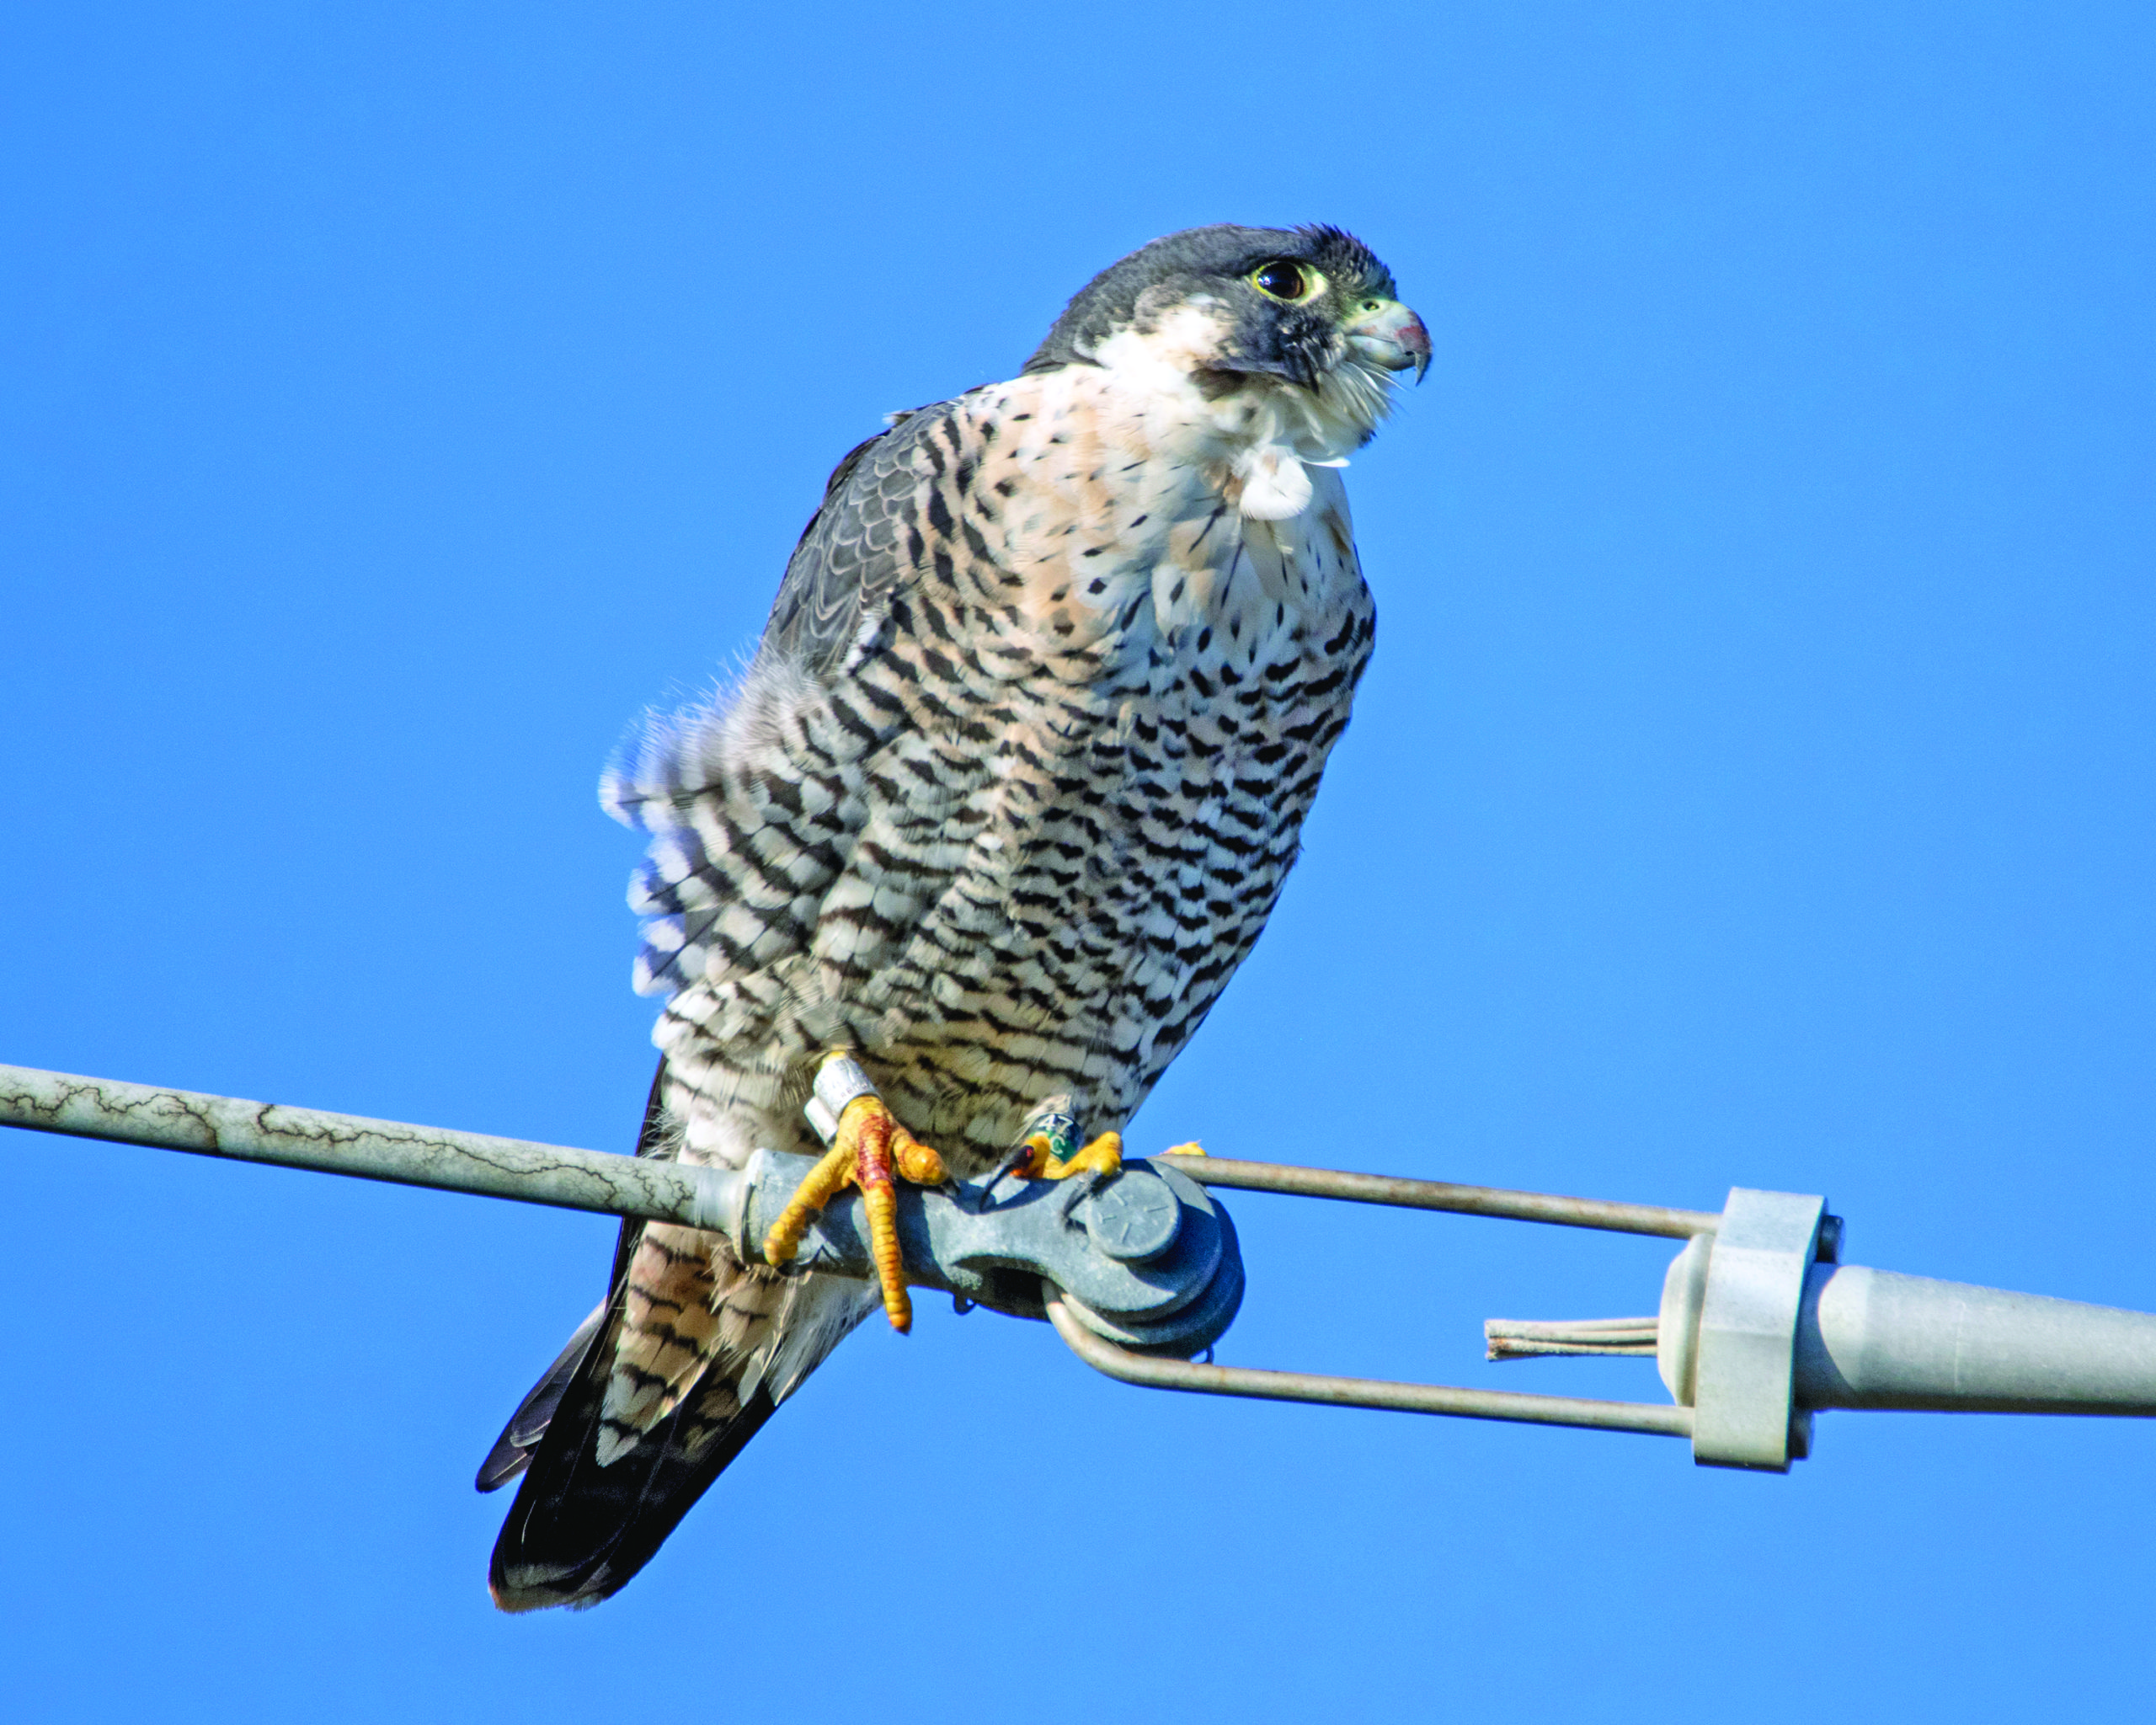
{"x":1008,"y":825}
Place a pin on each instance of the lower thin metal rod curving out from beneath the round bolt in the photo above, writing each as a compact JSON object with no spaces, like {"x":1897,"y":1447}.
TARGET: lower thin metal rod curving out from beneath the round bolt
{"x":1152,"y":1372}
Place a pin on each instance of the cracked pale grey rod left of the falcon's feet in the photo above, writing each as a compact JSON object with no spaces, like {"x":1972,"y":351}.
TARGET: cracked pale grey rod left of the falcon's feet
{"x":357,"y":1146}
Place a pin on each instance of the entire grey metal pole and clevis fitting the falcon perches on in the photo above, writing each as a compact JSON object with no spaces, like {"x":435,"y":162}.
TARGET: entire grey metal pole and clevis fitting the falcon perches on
{"x":1760,"y":1321}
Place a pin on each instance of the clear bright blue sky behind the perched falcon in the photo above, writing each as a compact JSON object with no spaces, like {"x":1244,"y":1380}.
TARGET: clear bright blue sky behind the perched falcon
{"x":1752,"y":788}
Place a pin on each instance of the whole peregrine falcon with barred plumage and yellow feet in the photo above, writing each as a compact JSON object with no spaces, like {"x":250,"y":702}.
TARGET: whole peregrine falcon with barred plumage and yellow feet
{"x":997,"y":810}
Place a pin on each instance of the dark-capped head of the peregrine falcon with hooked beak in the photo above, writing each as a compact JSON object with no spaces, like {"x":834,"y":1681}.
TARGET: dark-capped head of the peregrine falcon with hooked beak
{"x":1310,"y":309}
